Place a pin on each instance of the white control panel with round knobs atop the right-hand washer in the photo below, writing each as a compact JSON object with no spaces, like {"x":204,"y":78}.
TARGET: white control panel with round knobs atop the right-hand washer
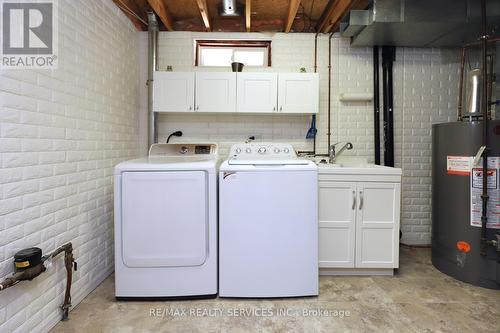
{"x":255,"y":151}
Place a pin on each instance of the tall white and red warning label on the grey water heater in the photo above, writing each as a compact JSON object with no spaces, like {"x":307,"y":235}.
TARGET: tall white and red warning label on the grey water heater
{"x":476,"y":203}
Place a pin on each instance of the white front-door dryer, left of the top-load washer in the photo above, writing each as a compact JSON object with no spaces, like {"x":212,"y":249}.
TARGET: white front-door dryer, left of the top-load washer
{"x":166,"y":223}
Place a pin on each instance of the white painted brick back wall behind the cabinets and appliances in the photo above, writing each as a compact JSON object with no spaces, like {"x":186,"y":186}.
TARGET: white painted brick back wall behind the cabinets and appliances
{"x":426,"y":86}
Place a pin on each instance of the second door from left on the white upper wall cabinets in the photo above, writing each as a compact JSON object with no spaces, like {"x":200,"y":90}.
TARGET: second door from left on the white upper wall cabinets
{"x":215,"y":92}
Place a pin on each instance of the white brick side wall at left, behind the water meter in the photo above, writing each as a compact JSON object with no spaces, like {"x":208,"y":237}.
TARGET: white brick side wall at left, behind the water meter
{"x":61,"y":132}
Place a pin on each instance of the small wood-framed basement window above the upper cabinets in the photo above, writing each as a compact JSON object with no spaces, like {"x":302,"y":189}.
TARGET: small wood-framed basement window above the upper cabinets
{"x":221,"y":53}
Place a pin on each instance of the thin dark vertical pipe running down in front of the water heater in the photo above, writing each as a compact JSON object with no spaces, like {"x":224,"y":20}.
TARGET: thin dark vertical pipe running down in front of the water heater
{"x":484,"y":195}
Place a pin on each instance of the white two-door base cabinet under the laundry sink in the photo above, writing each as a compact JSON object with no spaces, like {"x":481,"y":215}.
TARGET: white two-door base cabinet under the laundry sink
{"x":358,"y":225}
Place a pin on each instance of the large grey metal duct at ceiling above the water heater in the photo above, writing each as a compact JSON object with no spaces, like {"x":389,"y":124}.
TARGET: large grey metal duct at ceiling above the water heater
{"x":419,"y":23}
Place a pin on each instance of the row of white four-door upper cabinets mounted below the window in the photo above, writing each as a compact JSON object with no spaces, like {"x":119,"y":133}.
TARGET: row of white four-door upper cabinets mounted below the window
{"x":235,"y":92}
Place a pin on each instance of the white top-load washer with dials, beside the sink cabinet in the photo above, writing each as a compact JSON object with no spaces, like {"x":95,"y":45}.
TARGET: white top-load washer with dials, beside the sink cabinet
{"x":268,"y":226}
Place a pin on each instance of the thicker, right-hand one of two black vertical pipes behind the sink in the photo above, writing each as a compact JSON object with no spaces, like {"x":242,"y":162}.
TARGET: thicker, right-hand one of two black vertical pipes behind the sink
{"x":388,"y":57}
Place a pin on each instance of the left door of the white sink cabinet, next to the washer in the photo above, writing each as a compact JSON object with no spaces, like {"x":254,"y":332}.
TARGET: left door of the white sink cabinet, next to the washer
{"x":337,"y":214}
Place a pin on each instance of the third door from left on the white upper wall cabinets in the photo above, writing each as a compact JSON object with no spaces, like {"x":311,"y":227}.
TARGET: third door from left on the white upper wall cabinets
{"x":257,"y":92}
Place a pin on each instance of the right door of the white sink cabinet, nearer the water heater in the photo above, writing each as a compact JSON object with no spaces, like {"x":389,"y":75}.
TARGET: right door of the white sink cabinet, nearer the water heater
{"x":377,"y":225}
